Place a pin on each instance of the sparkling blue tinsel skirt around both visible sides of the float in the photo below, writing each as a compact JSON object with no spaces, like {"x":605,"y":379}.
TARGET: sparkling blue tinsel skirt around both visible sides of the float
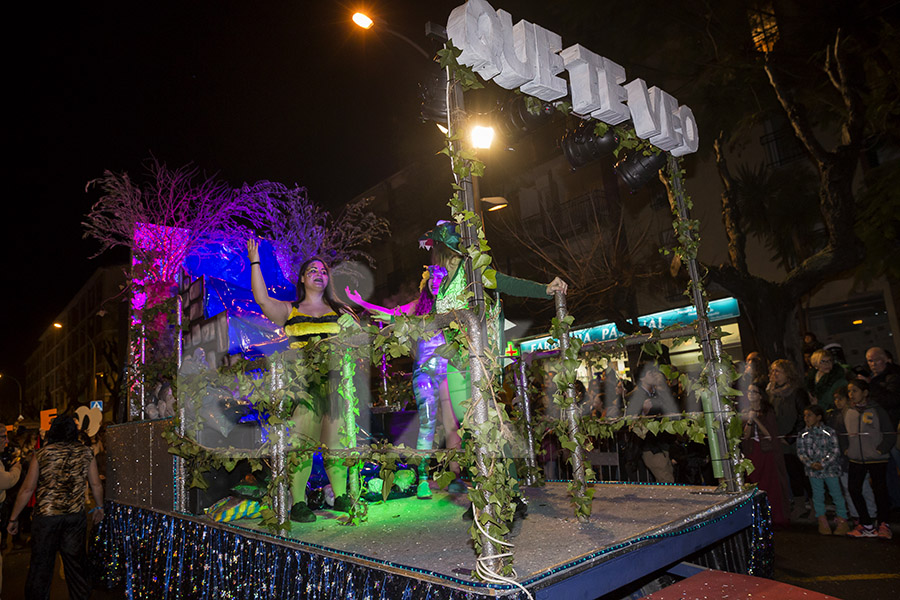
{"x":160,"y":555}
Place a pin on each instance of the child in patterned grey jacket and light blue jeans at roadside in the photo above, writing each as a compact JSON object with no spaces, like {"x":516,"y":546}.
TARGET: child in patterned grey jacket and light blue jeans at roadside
{"x":818,"y":450}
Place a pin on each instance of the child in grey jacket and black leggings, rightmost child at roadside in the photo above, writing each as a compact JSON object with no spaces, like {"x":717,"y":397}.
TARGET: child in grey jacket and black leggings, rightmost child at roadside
{"x":871,"y":438}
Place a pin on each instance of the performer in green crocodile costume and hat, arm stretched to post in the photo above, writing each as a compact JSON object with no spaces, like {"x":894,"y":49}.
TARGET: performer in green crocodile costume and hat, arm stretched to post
{"x":444,"y":241}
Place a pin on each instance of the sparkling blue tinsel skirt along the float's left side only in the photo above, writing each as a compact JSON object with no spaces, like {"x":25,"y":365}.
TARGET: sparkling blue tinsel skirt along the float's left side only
{"x":158,"y":555}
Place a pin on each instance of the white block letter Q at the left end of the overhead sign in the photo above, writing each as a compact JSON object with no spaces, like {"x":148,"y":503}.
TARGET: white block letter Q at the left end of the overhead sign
{"x":474,"y":28}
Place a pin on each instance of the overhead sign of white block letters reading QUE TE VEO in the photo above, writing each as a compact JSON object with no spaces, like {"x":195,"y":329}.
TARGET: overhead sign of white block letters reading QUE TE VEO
{"x":529,"y":57}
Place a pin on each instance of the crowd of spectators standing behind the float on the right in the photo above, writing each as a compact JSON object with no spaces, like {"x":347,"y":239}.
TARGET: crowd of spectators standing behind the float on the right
{"x":822,"y":438}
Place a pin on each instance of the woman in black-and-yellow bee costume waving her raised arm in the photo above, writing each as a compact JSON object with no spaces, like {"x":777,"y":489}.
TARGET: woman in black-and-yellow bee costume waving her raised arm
{"x":314,"y":314}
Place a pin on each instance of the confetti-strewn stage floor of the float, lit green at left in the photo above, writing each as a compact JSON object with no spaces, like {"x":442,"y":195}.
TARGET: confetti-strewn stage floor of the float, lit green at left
{"x":431,"y":536}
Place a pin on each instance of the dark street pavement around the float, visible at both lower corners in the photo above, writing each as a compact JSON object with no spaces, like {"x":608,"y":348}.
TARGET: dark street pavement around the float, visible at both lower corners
{"x":846,"y":568}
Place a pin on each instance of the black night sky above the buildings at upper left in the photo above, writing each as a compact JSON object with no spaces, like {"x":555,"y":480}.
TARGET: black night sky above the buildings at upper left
{"x":279,"y":90}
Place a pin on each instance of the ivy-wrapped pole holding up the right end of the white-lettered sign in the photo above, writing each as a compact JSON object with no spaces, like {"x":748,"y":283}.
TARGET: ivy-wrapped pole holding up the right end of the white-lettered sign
{"x":713,"y":410}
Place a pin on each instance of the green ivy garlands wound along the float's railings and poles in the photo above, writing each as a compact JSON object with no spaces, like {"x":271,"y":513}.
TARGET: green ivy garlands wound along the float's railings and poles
{"x":494,"y":436}
